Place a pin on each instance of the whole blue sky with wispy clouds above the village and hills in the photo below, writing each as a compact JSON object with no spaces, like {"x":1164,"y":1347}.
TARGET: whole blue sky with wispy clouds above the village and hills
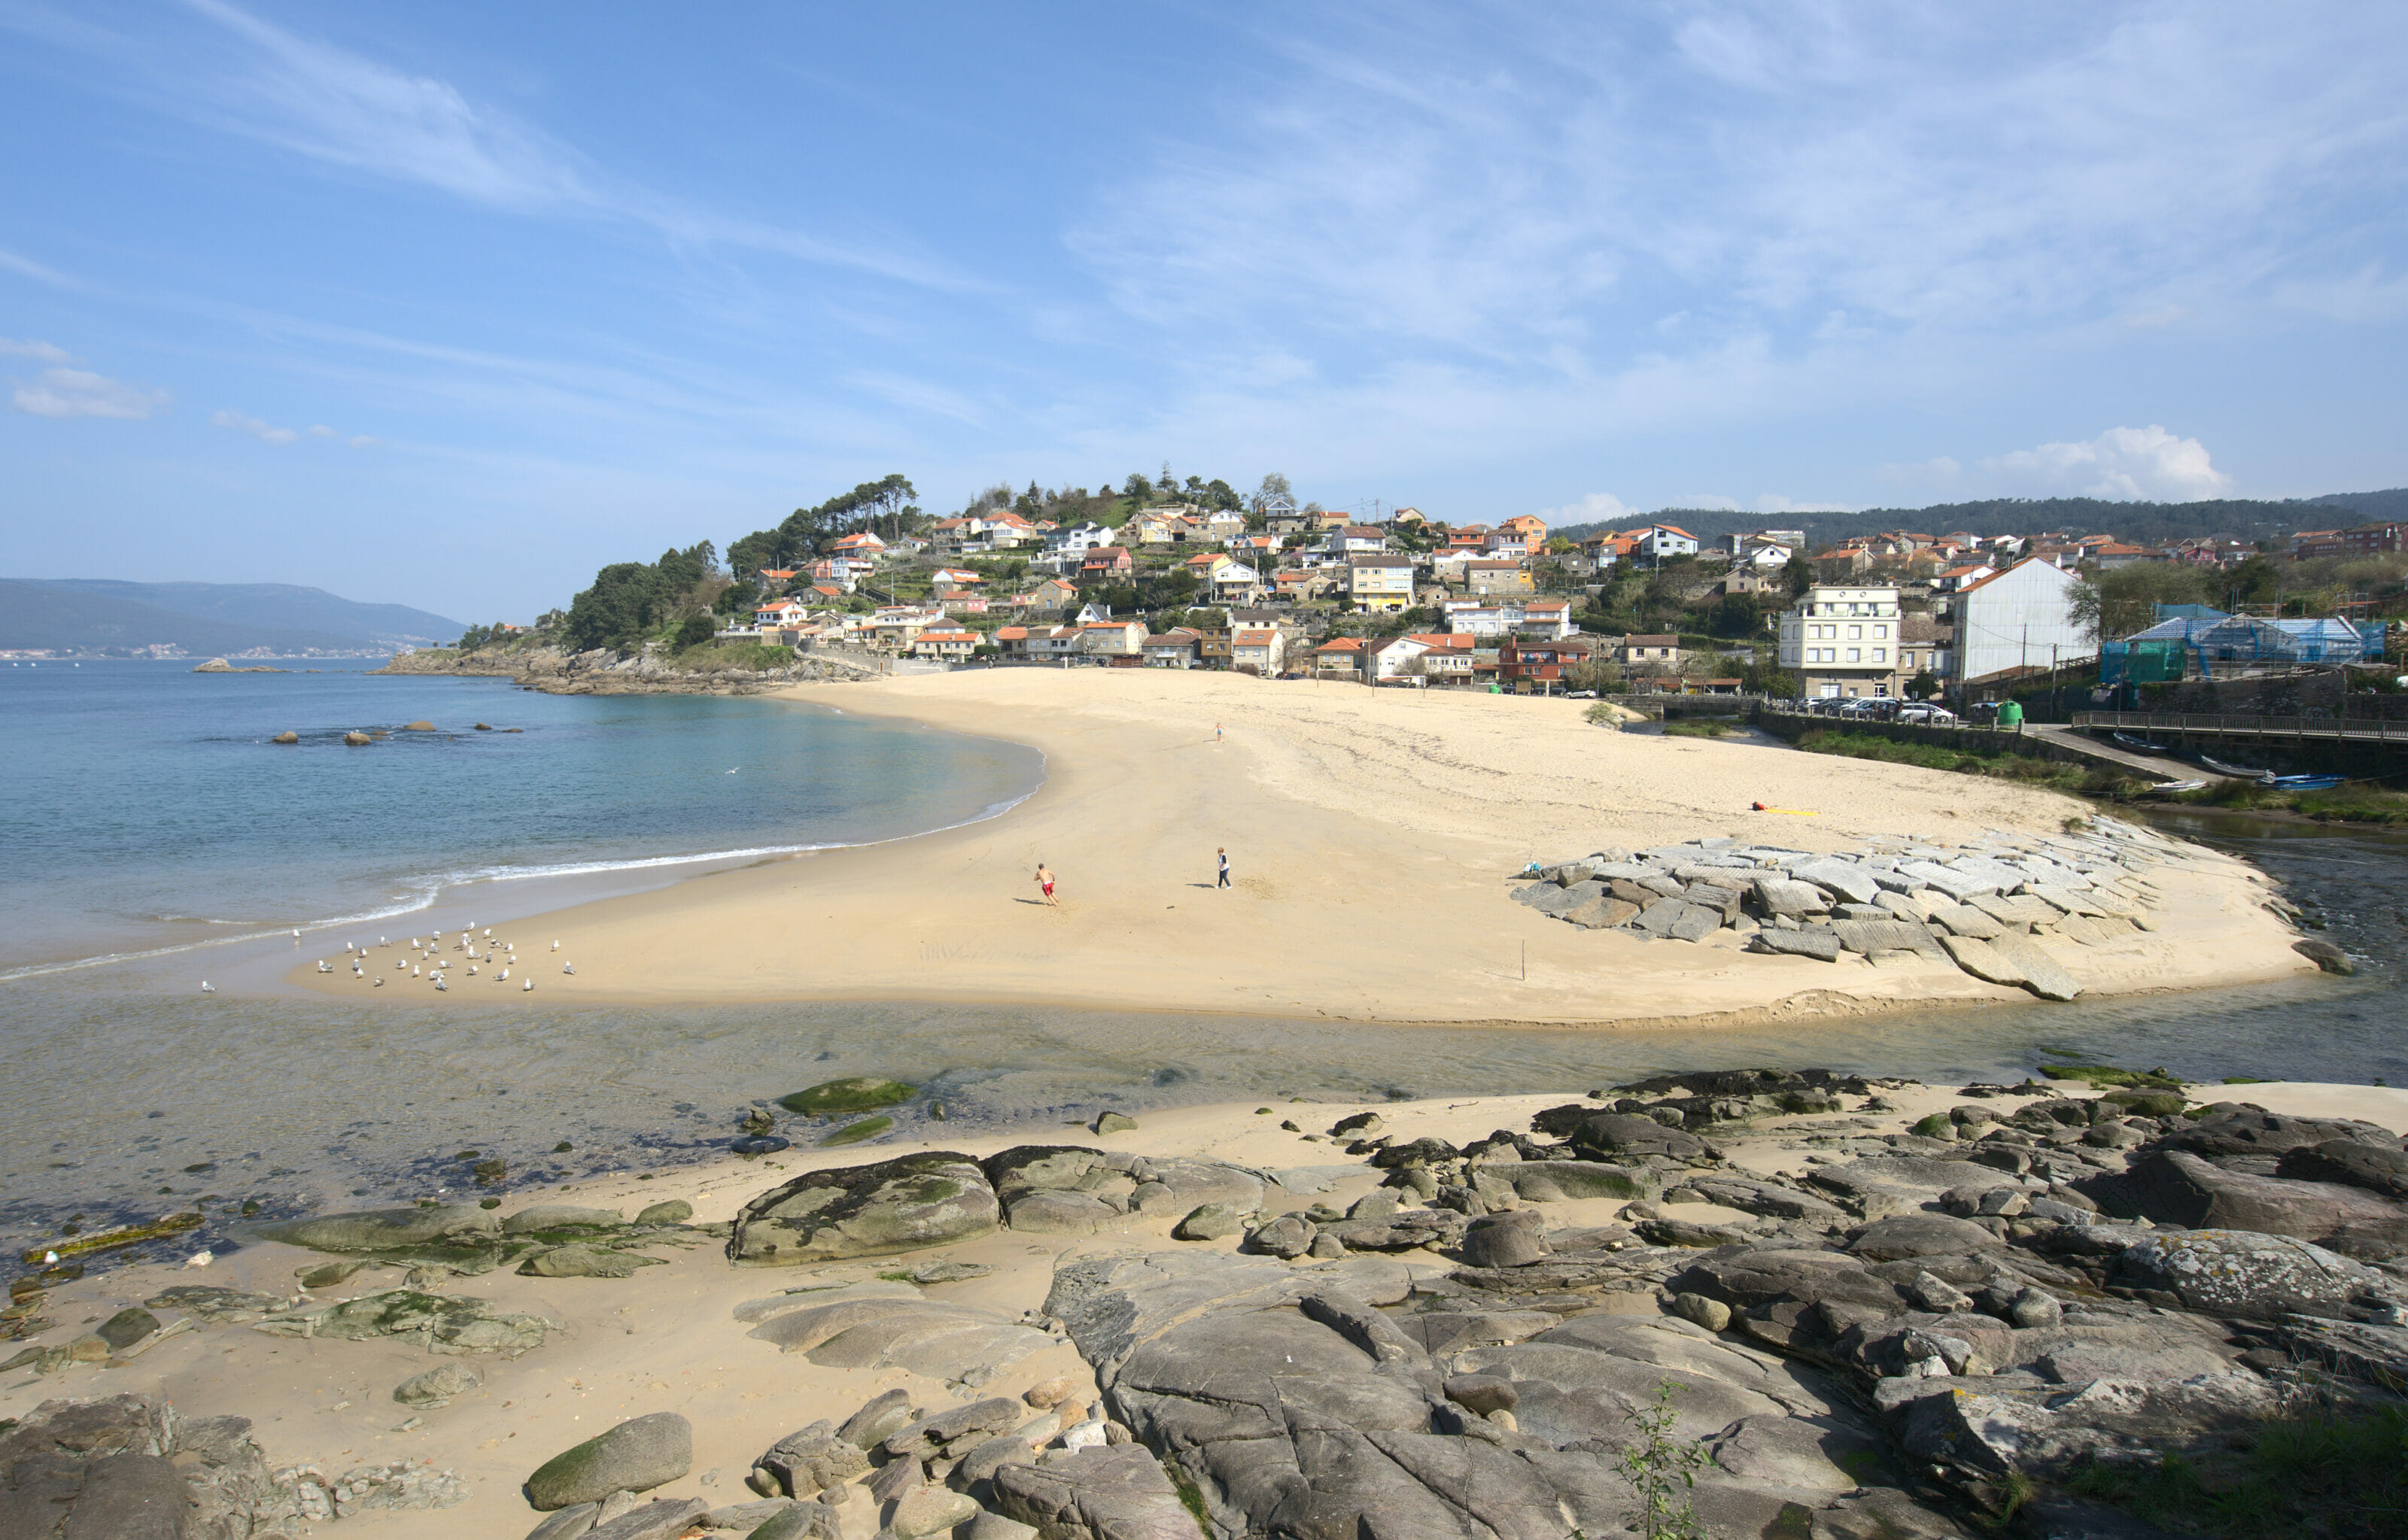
{"x":449,"y":304}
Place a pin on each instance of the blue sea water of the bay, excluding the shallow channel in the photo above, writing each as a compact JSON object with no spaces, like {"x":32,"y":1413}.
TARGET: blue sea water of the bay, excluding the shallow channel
{"x":146,"y":805}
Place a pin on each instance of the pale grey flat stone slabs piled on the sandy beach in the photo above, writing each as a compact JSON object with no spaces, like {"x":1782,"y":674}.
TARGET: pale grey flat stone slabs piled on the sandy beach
{"x":1990,"y":906}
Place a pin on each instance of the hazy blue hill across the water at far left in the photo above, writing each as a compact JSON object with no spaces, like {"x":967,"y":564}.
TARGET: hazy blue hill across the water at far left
{"x":206,"y":620}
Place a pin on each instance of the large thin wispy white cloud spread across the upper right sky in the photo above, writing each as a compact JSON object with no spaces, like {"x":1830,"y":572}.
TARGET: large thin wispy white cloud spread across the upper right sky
{"x":1615,"y":201}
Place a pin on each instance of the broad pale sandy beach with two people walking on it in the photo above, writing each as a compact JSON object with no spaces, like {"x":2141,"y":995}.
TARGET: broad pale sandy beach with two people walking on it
{"x":1371,"y":841}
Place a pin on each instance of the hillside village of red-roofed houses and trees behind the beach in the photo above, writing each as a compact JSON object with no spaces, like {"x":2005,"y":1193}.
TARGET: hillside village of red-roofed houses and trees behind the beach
{"x":1200,"y":579}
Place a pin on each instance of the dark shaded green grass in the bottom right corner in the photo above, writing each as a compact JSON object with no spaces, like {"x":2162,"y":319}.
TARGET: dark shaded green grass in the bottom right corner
{"x":2337,"y":1479}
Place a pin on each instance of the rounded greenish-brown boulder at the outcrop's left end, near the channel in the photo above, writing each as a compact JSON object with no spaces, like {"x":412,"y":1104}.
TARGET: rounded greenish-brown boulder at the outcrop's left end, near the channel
{"x":866,"y":1212}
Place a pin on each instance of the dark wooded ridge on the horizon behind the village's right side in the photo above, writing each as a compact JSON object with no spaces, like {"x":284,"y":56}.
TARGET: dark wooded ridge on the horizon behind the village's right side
{"x":2135,"y":523}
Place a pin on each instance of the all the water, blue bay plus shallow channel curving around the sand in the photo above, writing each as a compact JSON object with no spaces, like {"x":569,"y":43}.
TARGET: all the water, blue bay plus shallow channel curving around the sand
{"x":126,"y":1094}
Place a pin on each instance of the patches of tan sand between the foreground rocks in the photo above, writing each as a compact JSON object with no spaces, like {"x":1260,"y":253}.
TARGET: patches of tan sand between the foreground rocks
{"x":671,"y":1339}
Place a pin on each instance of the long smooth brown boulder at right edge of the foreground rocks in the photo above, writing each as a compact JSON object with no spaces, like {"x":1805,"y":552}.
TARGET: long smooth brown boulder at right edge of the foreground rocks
{"x":2176,"y":1187}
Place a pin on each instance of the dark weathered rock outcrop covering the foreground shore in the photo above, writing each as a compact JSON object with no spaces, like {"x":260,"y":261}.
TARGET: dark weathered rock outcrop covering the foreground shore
{"x":1916,"y":1334}
